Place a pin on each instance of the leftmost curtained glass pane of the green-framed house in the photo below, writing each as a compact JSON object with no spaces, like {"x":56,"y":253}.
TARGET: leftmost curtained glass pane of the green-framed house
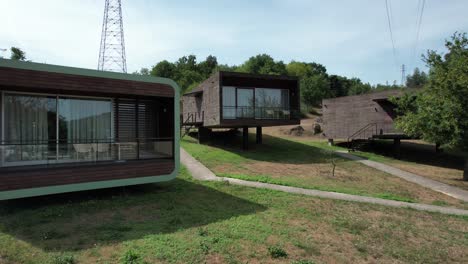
{"x":30,"y":128}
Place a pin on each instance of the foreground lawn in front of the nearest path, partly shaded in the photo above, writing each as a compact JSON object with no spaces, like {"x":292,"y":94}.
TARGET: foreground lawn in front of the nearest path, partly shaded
{"x":186,"y":221}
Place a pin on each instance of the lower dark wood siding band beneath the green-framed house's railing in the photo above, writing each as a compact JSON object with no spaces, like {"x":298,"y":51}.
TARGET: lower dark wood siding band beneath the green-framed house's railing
{"x":23,"y":178}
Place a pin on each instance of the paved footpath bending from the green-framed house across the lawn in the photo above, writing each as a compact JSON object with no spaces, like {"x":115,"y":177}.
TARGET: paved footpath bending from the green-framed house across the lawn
{"x":200,"y":172}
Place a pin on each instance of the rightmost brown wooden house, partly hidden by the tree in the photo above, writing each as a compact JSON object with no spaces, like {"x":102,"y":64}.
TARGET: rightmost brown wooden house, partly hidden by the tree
{"x":362,"y":117}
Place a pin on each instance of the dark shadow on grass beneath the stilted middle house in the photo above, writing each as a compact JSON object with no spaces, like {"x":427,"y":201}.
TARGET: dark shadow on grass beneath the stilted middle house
{"x":273,"y":149}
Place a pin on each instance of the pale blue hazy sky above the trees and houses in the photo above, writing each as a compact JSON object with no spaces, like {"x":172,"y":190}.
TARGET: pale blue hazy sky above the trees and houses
{"x":350,"y":38}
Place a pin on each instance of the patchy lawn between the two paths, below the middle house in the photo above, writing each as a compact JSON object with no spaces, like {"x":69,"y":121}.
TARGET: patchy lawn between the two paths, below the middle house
{"x":308,"y":165}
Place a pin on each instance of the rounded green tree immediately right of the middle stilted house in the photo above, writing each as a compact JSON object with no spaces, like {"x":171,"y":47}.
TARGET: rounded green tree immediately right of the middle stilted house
{"x":314,"y":89}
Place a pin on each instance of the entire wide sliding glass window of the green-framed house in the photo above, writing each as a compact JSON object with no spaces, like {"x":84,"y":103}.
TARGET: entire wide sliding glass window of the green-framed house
{"x":30,"y":129}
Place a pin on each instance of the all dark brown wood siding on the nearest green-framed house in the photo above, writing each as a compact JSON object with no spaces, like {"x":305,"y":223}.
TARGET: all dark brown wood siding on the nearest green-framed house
{"x":22,"y":80}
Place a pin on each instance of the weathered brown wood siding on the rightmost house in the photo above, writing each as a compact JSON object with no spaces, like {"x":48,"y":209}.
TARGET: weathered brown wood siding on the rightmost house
{"x":344,"y":116}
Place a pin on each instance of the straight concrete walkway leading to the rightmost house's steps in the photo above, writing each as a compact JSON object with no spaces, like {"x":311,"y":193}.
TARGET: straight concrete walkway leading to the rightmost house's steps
{"x":411,"y":177}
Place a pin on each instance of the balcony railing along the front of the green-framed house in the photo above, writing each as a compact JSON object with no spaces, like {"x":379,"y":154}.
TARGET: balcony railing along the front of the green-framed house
{"x":48,"y":152}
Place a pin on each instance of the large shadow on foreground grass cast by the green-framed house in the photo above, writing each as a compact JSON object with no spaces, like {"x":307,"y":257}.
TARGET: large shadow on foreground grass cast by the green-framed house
{"x":76,"y":221}
